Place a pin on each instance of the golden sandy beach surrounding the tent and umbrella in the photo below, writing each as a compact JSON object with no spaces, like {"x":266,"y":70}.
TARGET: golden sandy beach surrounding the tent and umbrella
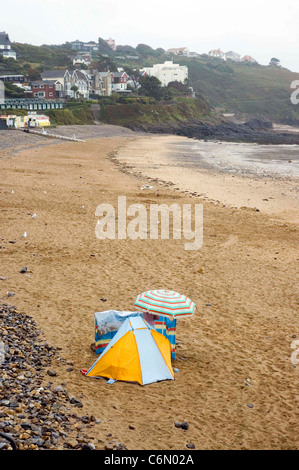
{"x":236,"y":386}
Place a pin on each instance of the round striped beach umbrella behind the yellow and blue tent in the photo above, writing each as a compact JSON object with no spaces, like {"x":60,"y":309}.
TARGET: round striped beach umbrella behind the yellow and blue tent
{"x":165,"y":302}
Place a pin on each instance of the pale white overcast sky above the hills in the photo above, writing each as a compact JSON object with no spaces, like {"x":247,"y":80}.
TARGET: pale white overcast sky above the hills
{"x":260,"y":28}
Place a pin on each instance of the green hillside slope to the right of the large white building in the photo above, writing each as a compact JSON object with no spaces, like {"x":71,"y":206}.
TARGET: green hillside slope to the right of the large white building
{"x":245,"y":89}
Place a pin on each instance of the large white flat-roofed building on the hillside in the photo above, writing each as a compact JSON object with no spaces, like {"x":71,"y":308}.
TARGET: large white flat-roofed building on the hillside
{"x":167,"y":72}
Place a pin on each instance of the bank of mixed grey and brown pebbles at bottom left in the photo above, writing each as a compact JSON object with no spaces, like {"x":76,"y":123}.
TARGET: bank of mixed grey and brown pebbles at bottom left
{"x":36,"y":416}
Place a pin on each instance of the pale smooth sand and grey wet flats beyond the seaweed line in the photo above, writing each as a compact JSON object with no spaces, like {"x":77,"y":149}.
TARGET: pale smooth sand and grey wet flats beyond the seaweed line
{"x":229,"y":174}
